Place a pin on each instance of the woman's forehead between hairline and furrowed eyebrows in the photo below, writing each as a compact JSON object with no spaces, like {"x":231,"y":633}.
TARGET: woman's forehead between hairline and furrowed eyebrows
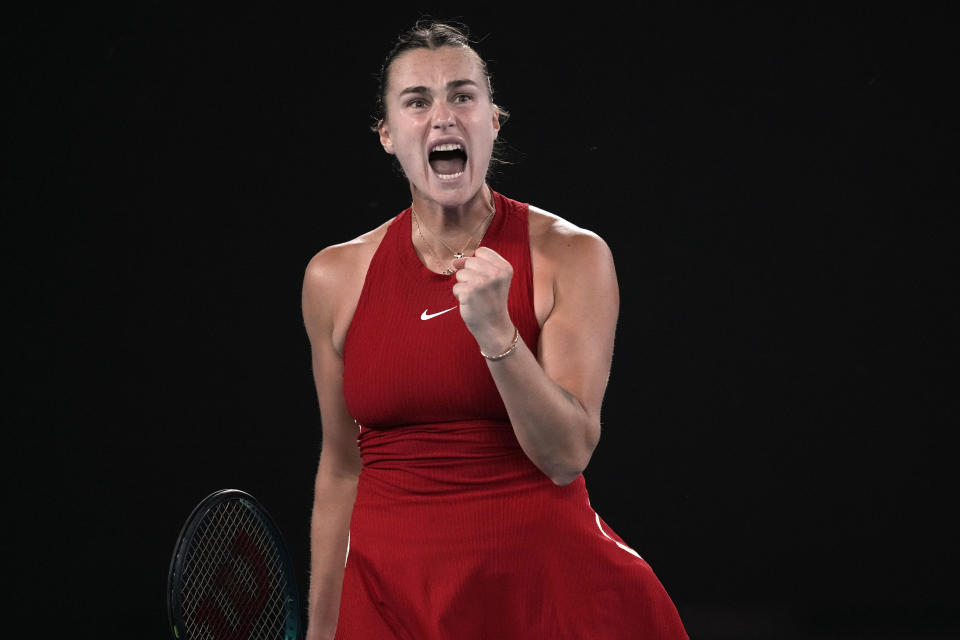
{"x":433,"y":68}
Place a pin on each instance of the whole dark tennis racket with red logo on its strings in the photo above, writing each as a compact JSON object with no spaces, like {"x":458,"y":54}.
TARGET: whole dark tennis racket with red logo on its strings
{"x":230,"y":575}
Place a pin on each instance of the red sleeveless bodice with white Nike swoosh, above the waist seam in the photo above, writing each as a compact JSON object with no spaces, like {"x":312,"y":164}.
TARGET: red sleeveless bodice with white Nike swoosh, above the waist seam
{"x":409,"y":359}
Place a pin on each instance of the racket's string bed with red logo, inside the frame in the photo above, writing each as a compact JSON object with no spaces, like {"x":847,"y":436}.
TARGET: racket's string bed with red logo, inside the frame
{"x":234,"y":586}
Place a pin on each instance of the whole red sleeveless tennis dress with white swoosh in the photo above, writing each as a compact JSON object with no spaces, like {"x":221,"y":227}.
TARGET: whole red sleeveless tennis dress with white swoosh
{"x":455,"y":534}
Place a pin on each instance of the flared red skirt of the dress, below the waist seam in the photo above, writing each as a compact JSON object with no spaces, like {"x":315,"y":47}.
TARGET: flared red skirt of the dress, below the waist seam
{"x":456,"y":534}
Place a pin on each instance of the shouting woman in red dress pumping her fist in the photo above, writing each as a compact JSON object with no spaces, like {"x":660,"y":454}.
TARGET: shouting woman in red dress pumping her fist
{"x":461,"y":351}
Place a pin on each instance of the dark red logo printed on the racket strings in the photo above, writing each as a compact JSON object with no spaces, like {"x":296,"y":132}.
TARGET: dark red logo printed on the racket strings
{"x":244,"y":594}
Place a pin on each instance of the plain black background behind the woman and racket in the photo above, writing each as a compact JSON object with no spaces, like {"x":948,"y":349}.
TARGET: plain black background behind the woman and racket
{"x":769,"y":179}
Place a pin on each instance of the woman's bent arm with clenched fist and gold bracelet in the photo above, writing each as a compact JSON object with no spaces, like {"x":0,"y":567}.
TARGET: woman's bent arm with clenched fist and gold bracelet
{"x":554,"y":403}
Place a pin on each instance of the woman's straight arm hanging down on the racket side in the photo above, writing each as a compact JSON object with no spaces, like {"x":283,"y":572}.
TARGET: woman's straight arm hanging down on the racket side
{"x":337,"y":474}
